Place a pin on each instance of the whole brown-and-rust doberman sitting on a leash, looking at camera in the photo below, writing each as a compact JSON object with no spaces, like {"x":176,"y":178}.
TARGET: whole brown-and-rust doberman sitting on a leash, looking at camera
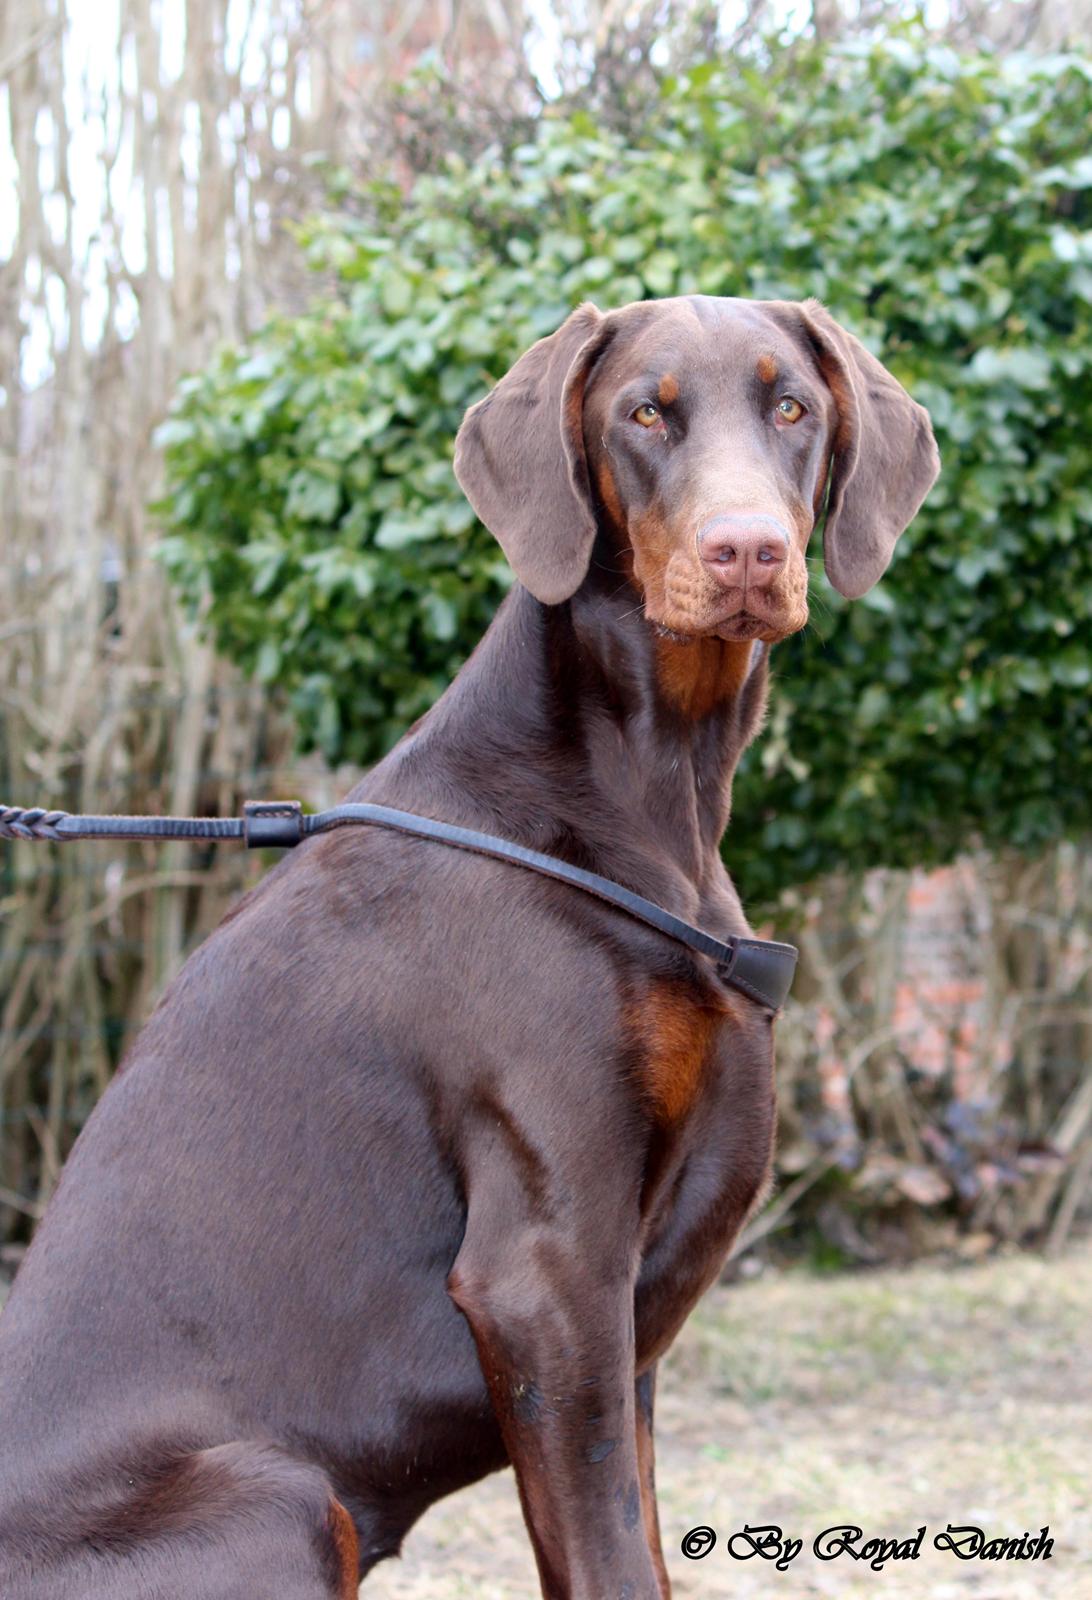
{"x":422,"y":1162}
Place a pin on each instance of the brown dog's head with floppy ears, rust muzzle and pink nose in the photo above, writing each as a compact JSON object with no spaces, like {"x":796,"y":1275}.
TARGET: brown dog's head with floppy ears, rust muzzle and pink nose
{"x":704,"y":438}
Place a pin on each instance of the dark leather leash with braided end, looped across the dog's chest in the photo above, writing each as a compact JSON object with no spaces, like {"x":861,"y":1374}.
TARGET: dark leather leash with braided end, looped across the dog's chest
{"x":760,"y":969}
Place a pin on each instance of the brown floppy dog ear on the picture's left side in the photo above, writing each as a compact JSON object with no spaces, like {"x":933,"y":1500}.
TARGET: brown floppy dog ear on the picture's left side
{"x":520,"y":458}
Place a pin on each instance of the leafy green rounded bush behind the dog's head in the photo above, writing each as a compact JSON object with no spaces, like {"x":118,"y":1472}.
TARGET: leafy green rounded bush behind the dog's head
{"x":939,"y":204}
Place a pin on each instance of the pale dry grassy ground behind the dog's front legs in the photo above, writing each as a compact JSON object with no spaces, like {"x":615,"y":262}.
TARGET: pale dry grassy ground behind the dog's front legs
{"x":920,"y":1396}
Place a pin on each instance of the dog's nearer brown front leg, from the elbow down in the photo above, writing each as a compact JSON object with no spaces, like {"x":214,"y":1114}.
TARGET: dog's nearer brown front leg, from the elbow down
{"x":552,"y":1311}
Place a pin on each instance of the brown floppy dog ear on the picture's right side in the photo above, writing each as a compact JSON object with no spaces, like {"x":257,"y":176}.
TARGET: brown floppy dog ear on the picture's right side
{"x":885,"y":460}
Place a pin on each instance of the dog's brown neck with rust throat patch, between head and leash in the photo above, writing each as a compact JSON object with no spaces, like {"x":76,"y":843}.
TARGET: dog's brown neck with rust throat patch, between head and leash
{"x":579,"y":730}
